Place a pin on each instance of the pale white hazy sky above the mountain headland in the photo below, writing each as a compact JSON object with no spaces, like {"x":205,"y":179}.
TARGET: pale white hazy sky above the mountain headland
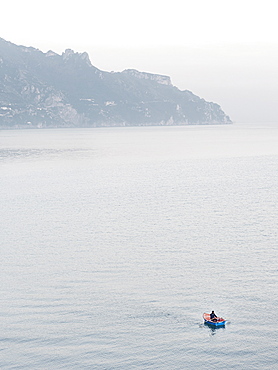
{"x":224,"y":51}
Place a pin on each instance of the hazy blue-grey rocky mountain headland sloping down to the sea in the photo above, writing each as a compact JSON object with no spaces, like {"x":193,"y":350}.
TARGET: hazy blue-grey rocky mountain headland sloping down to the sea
{"x":49,"y":90}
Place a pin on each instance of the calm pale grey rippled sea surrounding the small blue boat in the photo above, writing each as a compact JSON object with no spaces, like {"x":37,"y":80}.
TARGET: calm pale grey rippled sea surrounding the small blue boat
{"x":115,"y":241}
